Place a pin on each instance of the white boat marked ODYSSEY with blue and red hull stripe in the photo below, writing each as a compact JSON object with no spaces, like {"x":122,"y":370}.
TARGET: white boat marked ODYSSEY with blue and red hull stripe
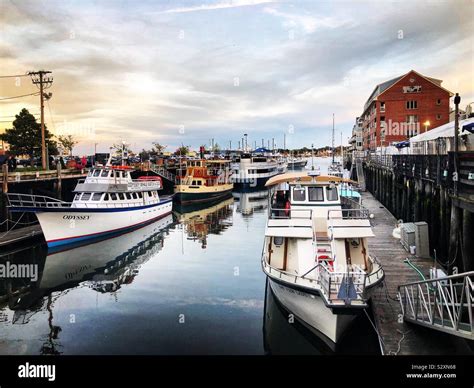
{"x":108,"y":202}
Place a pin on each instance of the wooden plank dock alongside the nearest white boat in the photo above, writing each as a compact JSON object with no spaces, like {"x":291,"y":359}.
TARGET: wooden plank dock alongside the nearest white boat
{"x":398,"y":337}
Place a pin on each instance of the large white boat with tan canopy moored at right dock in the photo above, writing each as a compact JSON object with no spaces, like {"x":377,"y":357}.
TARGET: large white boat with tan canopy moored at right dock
{"x":315,"y":253}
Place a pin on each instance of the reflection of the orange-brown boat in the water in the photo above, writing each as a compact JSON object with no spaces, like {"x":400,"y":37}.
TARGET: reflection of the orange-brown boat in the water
{"x":200,"y":220}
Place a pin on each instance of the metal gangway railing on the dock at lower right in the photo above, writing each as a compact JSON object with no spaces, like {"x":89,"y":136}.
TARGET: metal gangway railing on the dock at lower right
{"x":445,"y":304}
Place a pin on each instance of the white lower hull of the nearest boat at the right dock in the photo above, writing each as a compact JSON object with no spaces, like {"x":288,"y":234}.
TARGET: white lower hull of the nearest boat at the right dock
{"x":312,"y":311}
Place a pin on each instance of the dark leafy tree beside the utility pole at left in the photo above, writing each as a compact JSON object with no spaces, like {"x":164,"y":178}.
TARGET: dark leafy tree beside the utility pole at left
{"x":25,"y":136}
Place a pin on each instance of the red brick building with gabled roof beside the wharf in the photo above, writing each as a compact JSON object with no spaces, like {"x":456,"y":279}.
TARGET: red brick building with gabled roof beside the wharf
{"x":403,"y":107}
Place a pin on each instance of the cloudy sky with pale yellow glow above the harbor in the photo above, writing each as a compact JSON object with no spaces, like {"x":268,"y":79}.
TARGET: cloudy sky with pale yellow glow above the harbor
{"x":185,"y":72}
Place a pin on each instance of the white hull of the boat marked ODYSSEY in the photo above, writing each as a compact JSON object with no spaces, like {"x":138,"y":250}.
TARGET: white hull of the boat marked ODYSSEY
{"x":71,"y":226}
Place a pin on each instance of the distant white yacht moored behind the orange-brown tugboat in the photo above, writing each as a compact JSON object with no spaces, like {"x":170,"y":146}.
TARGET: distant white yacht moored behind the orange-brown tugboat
{"x":250,"y":172}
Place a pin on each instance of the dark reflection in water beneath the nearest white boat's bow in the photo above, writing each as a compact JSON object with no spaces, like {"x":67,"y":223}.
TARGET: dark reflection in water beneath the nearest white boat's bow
{"x":285,"y":334}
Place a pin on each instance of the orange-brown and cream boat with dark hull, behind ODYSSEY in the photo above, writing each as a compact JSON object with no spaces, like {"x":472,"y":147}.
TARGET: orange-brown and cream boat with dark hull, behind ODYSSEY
{"x":204,"y":181}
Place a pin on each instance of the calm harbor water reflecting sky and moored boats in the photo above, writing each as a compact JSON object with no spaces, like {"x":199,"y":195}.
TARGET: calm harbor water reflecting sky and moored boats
{"x":188,"y":284}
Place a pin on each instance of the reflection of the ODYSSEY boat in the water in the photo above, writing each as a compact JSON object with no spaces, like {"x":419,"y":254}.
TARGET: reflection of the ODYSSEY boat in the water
{"x":104,"y":266}
